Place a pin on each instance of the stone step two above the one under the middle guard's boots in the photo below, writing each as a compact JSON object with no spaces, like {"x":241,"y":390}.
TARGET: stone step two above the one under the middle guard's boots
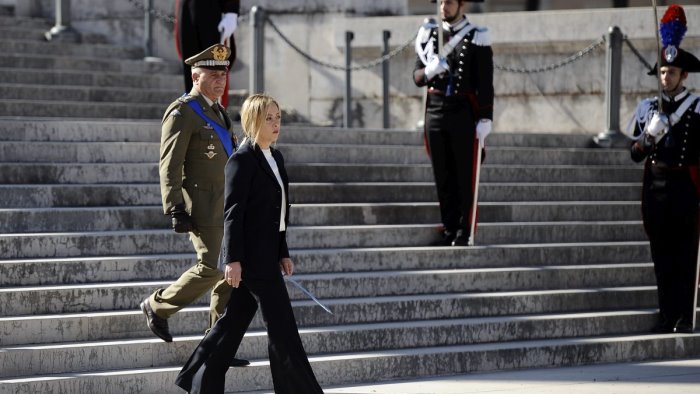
{"x":106,"y":218}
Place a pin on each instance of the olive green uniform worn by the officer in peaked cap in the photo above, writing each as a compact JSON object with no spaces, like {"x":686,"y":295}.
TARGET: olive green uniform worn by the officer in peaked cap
{"x":192,"y":161}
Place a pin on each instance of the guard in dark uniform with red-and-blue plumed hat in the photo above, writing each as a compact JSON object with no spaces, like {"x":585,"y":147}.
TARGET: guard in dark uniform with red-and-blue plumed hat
{"x":669,"y":140}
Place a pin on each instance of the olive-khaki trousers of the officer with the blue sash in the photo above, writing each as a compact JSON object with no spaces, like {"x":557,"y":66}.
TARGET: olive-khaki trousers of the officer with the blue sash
{"x":197,"y":280}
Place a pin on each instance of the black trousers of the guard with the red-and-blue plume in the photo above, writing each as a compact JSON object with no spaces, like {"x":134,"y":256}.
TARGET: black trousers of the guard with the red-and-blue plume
{"x":670,"y":213}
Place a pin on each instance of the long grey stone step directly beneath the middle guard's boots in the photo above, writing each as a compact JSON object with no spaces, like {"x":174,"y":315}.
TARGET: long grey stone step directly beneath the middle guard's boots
{"x":81,"y":269}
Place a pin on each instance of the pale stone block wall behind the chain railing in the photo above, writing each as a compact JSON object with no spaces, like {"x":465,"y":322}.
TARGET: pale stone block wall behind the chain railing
{"x":569,"y":99}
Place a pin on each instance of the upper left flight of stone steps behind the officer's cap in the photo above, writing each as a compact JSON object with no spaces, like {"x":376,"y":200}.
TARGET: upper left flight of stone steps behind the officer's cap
{"x":90,"y":79}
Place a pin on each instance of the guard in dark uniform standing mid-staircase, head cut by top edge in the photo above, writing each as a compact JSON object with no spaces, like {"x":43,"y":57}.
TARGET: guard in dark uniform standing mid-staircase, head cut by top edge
{"x":459,"y":108}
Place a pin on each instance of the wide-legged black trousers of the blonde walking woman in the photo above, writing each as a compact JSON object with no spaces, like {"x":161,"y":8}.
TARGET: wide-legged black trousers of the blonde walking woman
{"x":205,"y":371}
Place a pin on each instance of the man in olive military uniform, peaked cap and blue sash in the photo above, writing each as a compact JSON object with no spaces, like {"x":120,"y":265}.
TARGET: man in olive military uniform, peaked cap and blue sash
{"x":196,"y":141}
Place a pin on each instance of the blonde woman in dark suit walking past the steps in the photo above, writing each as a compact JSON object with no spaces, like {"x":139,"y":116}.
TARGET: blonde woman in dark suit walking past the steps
{"x":253,"y":252}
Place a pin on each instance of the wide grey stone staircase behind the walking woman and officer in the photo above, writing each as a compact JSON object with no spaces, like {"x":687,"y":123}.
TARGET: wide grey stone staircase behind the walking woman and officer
{"x":561,"y":274}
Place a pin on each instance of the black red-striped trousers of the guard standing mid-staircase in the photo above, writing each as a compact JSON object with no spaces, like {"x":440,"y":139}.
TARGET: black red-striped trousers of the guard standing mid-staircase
{"x":450,"y":134}
